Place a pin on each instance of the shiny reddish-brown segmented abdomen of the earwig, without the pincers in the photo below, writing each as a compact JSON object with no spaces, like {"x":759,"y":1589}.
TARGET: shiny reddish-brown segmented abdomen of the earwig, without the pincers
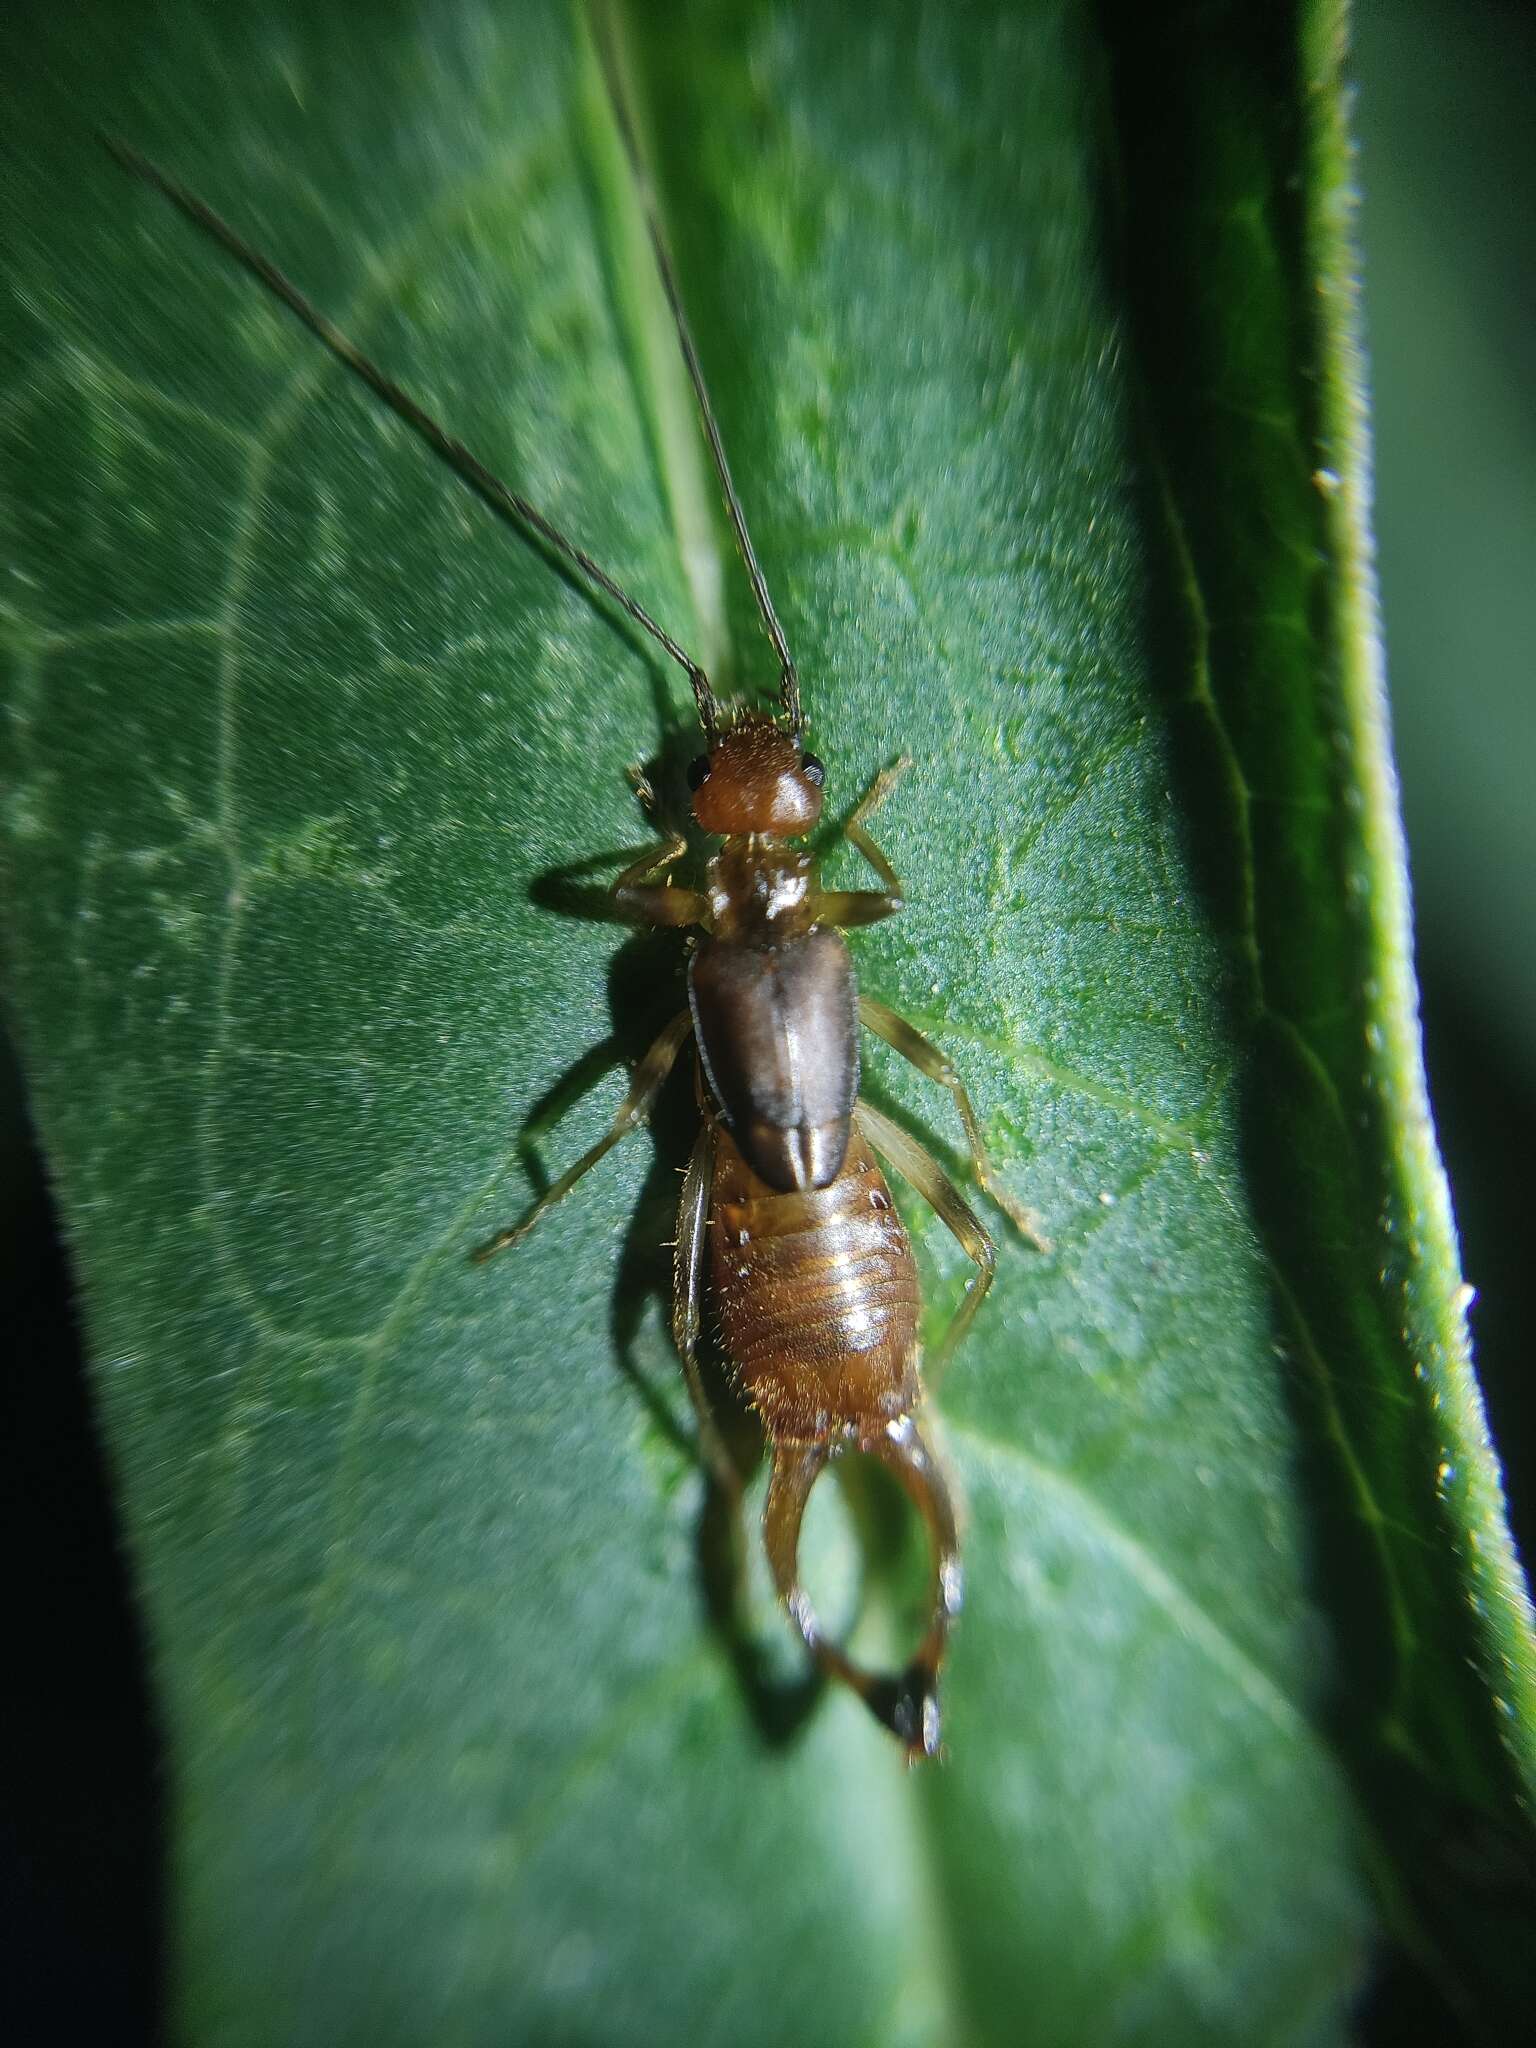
{"x":816,"y":1295}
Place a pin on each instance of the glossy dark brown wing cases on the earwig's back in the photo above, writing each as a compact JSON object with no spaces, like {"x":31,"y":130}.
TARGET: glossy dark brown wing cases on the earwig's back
{"x":779,"y":1039}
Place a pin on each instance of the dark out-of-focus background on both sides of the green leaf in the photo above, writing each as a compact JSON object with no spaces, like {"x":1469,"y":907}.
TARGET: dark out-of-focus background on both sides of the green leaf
{"x":1449,"y":173}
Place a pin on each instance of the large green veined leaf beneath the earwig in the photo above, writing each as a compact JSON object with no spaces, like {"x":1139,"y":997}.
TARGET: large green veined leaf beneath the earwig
{"x":1033,"y":343}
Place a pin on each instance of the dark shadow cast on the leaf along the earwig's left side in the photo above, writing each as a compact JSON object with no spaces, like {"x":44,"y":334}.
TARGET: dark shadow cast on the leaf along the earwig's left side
{"x":644,"y":984}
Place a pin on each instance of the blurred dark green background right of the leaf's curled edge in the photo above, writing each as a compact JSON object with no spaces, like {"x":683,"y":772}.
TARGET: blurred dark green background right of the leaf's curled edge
{"x":1449,"y":175}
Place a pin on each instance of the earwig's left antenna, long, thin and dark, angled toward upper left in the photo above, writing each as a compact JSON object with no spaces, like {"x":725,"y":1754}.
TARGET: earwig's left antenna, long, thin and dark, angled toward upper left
{"x":497,"y":495}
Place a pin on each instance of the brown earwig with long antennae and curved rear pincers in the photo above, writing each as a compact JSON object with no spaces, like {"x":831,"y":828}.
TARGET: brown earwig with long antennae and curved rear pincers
{"x":785,"y":1224}
